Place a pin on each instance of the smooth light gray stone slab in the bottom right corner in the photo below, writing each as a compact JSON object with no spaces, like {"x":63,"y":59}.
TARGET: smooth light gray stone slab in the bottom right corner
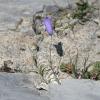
{"x":75,"y":90}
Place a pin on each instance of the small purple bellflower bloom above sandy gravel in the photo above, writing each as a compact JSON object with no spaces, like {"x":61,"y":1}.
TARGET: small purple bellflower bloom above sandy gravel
{"x":48,"y":25}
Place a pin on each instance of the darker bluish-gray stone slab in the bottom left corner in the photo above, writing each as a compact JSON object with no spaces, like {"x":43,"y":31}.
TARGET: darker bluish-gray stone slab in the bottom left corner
{"x":18,"y":87}
